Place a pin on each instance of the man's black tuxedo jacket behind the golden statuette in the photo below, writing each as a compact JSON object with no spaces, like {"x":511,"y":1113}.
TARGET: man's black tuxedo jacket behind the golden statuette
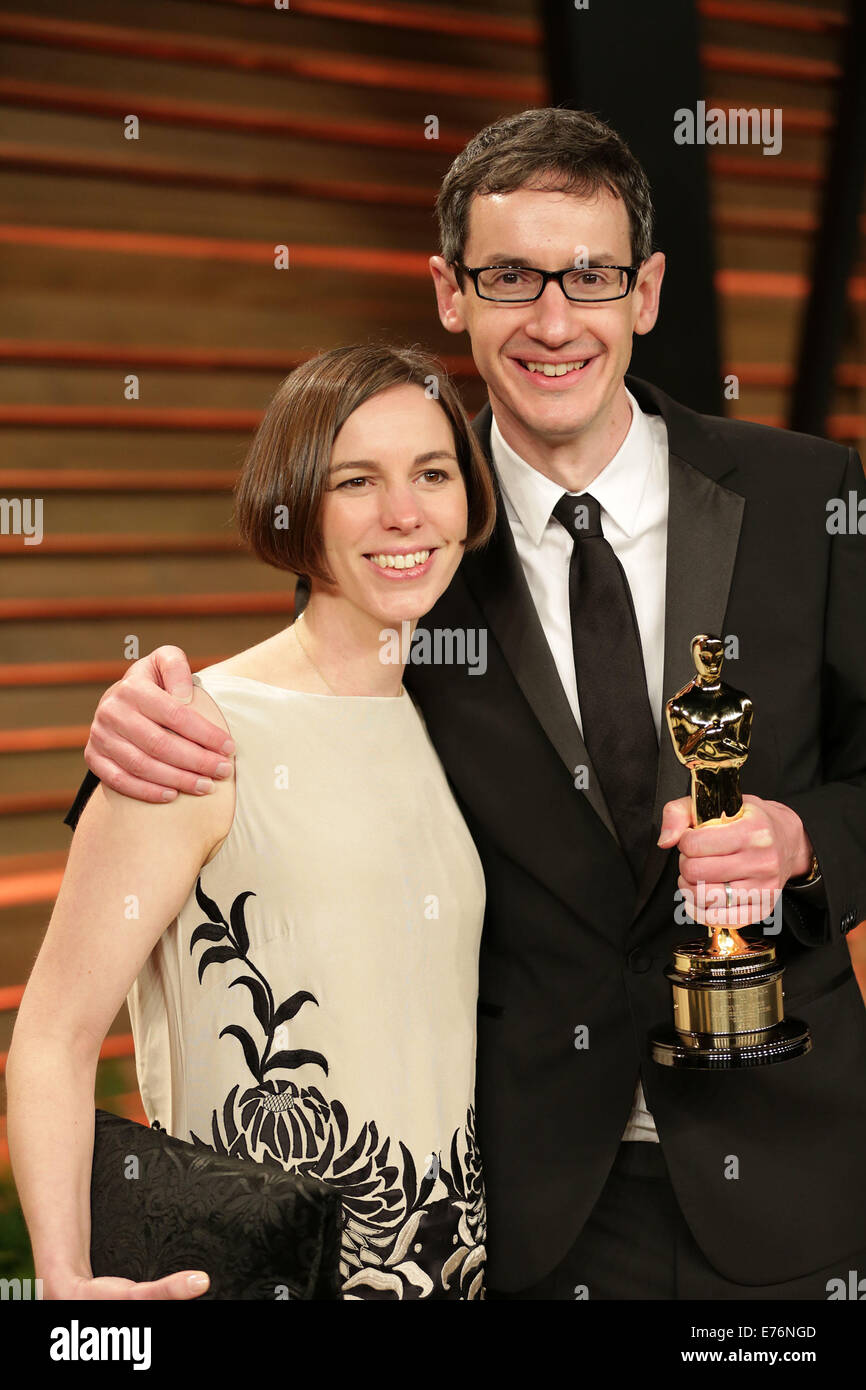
{"x":569,"y":943}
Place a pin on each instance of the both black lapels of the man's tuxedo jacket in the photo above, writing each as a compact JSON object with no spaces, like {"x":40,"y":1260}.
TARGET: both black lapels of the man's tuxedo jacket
{"x":703,"y":534}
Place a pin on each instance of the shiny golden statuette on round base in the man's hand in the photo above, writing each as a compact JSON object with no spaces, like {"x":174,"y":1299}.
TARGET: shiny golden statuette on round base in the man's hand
{"x":728,"y":995}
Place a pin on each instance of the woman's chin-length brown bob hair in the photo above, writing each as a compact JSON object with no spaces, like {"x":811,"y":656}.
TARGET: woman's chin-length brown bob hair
{"x":287,"y":469}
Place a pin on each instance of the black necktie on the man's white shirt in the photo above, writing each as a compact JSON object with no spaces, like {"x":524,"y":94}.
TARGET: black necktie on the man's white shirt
{"x":618,"y":723}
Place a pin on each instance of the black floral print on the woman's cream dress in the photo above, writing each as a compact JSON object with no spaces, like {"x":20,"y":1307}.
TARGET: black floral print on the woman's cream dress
{"x":401,"y":1239}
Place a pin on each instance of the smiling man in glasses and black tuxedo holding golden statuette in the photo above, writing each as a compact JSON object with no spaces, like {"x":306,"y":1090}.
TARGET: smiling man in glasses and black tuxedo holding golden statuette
{"x":628,"y":525}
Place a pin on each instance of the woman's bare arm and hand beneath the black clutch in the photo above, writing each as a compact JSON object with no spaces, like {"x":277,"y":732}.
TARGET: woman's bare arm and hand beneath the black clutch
{"x":130,"y":871}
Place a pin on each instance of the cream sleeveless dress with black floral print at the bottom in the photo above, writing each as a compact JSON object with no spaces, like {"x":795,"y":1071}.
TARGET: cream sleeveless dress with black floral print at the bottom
{"x":315,"y":1000}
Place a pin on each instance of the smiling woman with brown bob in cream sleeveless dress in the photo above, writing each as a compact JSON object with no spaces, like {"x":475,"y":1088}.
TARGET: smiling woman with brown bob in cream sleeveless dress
{"x":337,"y":860}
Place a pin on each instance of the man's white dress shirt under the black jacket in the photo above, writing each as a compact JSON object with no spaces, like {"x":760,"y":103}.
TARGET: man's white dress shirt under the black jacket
{"x":633,"y":497}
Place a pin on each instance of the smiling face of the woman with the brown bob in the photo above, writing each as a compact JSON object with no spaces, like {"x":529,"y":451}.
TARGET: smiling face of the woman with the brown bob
{"x":395,"y":515}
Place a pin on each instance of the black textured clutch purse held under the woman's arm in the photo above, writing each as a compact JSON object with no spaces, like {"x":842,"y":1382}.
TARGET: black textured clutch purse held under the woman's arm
{"x":259,"y":1232}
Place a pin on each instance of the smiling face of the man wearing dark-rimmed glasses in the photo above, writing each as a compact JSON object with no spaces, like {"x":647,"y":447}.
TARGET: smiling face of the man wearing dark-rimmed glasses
{"x":550,"y":230}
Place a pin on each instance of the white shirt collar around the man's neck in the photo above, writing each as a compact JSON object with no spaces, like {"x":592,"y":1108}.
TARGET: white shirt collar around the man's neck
{"x":619,"y":489}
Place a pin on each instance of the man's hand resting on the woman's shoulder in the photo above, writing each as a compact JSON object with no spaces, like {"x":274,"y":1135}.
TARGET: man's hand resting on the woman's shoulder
{"x":147,"y":740}
